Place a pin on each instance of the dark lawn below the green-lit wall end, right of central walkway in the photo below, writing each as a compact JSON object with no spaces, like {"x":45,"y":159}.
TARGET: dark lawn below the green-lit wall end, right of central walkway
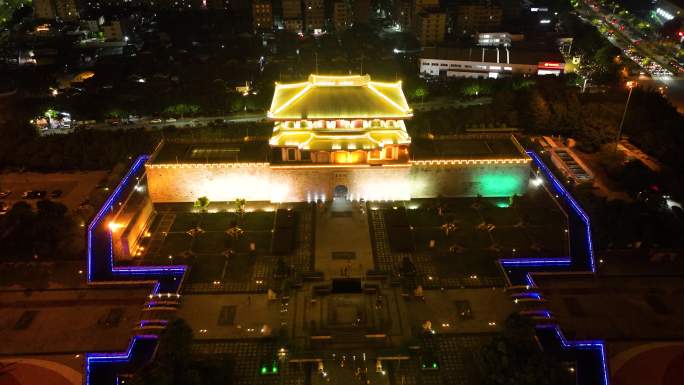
{"x":533,"y":227}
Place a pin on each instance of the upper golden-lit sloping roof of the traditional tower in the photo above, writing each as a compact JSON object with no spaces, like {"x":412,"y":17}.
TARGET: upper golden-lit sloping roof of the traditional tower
{"x":339,"y":97}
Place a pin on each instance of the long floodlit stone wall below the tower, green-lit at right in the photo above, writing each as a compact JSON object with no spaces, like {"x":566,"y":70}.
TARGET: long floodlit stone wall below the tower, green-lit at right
{"x":261,"y":182}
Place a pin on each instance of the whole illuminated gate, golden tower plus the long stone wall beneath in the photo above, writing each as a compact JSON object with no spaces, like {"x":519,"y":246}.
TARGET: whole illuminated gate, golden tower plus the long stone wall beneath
{"x":341,"y":136}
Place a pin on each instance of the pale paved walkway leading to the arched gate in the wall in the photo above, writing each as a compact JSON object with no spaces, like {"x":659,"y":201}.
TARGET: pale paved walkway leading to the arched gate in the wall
{"x":342,"y":227}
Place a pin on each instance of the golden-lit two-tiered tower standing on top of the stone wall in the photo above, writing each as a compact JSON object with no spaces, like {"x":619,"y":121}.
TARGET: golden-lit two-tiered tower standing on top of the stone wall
{"x":340,"y":120}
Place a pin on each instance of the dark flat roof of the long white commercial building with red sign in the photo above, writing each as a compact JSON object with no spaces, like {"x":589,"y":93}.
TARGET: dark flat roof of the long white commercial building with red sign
{"x":489,"y":55}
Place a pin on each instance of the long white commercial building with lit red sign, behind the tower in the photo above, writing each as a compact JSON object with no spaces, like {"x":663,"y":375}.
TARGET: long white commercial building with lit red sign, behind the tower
{"x":489,"y":62}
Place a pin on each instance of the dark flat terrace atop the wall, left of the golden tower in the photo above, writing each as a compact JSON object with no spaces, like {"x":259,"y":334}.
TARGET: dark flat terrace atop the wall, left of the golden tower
{"x":172,"y":152}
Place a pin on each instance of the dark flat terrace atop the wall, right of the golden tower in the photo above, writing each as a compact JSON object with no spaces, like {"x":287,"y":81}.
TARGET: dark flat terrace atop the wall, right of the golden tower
{"x":489,"y":146}
